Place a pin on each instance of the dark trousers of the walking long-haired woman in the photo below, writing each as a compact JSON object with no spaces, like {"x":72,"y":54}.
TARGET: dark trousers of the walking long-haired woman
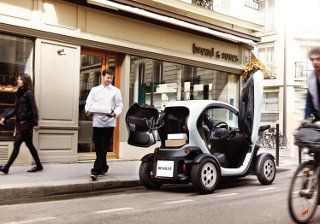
{"x":23,"y":136}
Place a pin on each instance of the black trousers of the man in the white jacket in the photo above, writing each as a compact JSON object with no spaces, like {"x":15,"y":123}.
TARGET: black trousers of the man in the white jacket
{"x":101,"y":138}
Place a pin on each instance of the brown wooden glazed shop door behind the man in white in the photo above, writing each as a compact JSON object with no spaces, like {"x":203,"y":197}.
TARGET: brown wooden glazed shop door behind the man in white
{"x":92,"y":64}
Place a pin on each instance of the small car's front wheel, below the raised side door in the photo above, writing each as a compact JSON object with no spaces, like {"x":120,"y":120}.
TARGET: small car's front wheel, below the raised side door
{"x":266,"y":170}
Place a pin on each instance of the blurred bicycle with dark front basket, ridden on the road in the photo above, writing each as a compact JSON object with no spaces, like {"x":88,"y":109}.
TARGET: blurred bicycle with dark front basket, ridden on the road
{"x":304,"y":188}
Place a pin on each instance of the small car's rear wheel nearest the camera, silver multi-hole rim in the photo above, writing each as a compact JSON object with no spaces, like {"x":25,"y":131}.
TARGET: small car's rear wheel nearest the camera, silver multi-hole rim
{"x":205,"y":176}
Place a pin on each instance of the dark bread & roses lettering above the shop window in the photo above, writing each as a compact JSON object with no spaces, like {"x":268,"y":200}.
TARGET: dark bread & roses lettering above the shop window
{"x":211,"y":52}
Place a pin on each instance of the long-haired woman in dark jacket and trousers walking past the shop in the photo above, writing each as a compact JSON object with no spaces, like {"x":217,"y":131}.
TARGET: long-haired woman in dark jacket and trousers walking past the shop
{"x":26,"y":112}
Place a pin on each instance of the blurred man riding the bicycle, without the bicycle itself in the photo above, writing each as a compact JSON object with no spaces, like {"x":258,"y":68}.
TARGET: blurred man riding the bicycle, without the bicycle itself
{"x":313,"y":95}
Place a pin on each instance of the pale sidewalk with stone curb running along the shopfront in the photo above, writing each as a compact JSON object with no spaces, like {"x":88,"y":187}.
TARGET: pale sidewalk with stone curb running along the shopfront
{"x":59,"y":179}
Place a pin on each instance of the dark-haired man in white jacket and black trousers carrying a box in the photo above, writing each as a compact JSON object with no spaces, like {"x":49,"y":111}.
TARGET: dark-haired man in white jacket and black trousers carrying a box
{"x":103,"y":124}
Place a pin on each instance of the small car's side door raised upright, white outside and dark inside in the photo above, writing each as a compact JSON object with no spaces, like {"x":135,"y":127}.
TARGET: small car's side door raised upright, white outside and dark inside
{"x":250,"y":106}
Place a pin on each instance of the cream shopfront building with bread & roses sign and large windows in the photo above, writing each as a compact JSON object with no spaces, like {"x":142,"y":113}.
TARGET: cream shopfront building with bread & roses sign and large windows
{"x":161,"y":51}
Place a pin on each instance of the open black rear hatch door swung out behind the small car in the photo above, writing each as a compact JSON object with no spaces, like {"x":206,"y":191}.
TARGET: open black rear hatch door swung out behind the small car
{"x":140,"y":125}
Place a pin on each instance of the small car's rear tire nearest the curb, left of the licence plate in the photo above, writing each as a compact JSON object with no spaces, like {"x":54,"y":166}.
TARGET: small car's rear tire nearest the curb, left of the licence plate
{"x":145,"y":176}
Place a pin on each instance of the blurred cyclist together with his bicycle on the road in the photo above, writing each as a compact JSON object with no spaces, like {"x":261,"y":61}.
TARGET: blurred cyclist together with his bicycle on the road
{"x":303,"y":192}
